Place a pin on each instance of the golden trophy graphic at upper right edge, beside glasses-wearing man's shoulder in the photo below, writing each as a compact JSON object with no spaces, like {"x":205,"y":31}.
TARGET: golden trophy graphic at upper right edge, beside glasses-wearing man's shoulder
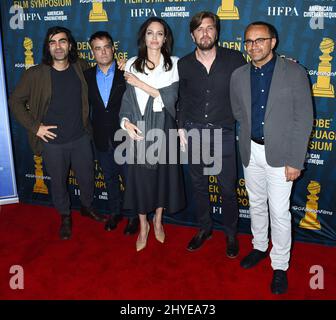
{"x":323,"y":87}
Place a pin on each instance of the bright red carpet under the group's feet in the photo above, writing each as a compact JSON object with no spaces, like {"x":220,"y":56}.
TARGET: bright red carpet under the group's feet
{"x":96,"y":264}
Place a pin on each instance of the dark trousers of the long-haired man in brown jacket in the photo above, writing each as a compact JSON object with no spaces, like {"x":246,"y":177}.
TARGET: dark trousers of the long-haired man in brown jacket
{"x":58,"y":159}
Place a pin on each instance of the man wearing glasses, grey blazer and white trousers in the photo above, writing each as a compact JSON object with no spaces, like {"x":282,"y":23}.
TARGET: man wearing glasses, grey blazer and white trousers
{"x":271,"y":99}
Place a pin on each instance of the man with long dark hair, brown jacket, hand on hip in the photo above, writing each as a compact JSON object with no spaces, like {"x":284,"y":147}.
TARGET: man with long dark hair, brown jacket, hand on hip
{"x":51,"y":102}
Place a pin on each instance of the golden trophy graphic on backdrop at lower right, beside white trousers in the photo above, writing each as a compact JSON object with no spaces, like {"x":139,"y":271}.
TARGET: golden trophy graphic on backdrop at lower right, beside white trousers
{"x":309,"y":221}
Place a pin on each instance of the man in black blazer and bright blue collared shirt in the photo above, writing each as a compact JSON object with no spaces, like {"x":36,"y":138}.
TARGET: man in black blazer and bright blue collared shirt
{"x":106,"y":86}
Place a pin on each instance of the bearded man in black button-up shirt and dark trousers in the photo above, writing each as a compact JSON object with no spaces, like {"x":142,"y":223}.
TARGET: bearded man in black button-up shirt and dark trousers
{"x":204,"y":106}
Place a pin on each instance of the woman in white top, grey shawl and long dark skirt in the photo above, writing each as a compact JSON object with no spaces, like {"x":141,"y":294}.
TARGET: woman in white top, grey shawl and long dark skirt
{"x":149,"y":103}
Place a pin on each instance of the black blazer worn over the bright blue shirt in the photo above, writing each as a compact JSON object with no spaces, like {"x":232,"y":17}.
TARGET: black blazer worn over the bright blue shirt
{"x":105,"y":121}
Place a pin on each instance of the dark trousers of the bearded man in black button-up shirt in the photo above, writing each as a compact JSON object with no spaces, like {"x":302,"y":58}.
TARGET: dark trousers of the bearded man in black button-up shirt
{"x":226,"y":176}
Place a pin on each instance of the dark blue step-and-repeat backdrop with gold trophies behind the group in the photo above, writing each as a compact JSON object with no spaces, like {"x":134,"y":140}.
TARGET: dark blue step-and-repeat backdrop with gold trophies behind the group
{"x":307,"y":31}
